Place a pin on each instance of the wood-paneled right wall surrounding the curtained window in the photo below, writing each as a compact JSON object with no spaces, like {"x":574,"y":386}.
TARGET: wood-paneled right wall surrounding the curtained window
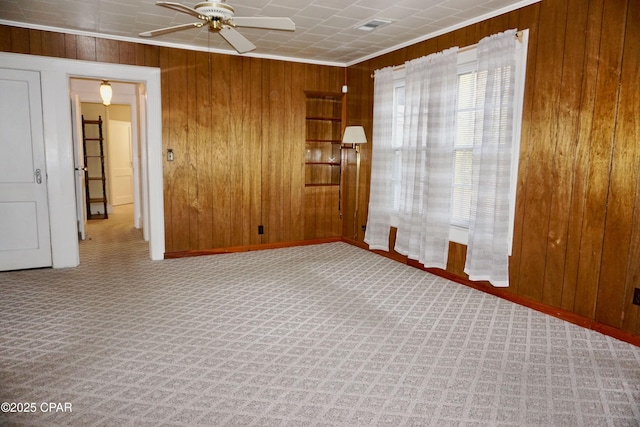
{"x":577,"y":229}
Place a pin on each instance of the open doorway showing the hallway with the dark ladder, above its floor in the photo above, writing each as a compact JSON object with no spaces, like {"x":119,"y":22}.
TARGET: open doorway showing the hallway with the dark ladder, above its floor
{"x":113,"y":172}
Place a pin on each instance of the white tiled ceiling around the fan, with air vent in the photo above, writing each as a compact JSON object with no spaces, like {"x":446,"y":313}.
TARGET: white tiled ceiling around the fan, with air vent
{"x":325,"y":29}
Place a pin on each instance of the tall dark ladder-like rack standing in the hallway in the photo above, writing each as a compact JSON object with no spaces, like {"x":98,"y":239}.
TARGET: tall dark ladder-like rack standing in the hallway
{"x":93,"y":148}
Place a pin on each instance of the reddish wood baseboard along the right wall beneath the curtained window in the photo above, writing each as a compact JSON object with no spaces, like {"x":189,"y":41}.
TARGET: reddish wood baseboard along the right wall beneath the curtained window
{"x":501,"y":293}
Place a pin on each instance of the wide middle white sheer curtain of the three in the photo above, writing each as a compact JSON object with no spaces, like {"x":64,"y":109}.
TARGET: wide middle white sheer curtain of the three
{"x":431,"y":88}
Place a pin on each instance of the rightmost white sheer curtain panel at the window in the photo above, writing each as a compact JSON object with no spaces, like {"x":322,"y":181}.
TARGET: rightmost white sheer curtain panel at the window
{"x":488,"y":248}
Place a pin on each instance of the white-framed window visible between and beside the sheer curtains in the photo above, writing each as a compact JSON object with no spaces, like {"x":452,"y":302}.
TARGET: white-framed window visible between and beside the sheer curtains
{"x":471,"y":86}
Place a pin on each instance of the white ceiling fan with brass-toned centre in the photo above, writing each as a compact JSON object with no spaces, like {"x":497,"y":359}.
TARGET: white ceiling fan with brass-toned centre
{"x":219,"y":17}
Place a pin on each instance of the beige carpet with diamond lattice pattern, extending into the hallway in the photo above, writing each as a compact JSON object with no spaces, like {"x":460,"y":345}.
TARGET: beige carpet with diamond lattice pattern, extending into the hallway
{"x":326,"y":335}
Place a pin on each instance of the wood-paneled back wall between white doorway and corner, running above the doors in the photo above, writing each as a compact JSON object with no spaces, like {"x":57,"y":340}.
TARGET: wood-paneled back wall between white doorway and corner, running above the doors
{"x":236,"y":127}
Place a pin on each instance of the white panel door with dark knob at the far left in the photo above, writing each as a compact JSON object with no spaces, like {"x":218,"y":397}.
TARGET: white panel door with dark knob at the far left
{"x":25,"y":239}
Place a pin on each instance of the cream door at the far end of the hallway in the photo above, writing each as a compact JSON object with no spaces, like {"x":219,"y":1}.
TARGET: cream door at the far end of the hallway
{"x":119,"y":159}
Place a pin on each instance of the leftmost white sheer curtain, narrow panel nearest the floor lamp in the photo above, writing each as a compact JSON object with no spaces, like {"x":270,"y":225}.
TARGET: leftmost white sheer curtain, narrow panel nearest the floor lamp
{"x":380,"y":196}
